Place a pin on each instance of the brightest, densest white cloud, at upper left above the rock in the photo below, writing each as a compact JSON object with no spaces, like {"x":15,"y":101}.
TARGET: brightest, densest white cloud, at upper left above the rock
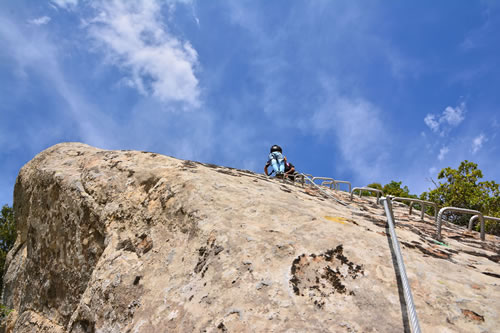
{"x":136,"y":40}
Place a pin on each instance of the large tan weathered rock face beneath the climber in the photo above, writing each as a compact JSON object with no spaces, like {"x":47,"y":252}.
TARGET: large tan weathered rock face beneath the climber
{"x":127,"y":241}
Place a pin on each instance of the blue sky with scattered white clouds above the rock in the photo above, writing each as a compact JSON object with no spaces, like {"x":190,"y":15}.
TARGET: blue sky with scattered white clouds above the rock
{"x":362,"y":91}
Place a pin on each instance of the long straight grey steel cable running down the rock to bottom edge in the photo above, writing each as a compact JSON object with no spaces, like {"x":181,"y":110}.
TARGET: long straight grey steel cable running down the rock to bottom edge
{"x":412,"y":313}
